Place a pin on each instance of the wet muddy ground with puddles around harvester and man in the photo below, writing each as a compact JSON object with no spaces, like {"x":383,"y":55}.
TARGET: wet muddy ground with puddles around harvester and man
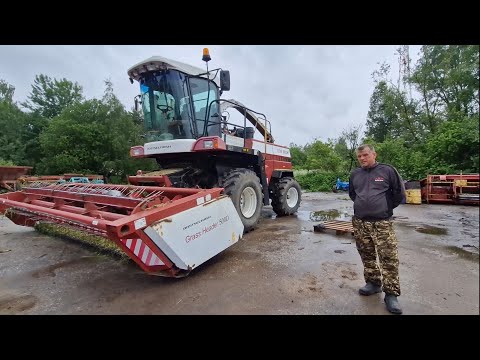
{"x":283,"y":267}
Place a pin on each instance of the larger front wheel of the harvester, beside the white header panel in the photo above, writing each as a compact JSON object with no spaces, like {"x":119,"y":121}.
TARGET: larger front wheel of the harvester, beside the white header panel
{"x":243,"y":187}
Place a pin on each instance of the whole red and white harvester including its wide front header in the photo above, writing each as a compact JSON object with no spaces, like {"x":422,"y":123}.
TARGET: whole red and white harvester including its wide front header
{"x":212,"y":182}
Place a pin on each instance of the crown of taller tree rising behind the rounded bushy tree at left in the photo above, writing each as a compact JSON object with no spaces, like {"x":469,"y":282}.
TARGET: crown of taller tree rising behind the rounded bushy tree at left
{"x":49,"y":97}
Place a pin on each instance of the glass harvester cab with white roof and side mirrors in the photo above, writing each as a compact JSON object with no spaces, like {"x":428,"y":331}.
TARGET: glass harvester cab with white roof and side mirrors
{"x":178,"y":101}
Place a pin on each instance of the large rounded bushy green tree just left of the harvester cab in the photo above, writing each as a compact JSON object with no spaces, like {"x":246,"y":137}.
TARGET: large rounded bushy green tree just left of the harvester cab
{"x":93,"y":136}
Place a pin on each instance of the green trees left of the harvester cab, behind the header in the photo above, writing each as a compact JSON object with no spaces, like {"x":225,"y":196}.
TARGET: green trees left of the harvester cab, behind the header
{"x":56,"y":130}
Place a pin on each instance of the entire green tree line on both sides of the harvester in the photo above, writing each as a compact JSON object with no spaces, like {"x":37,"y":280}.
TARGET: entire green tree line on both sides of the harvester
{"x":434,"y":130}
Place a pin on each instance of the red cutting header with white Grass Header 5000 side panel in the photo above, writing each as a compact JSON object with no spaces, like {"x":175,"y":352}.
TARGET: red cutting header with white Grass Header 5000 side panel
{"x":166,"y":231}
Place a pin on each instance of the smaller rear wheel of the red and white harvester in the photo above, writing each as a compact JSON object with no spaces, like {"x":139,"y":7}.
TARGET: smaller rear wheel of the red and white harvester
{"x":286,"y":196}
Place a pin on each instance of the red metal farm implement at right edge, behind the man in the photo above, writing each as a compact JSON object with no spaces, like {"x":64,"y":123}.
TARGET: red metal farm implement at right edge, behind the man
{"x":454,"y":189}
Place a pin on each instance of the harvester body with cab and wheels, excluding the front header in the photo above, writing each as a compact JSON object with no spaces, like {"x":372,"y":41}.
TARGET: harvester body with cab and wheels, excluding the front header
{"x":195,"y":147}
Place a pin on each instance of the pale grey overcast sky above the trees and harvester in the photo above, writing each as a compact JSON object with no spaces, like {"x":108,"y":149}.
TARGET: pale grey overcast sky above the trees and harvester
{"x":306,"y":92}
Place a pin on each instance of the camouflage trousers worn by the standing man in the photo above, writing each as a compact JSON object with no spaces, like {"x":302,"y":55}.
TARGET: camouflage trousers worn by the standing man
{"x":378,"y":238}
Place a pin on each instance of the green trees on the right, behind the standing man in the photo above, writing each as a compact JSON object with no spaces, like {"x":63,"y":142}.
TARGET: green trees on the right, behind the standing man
{"x":426,"y":122}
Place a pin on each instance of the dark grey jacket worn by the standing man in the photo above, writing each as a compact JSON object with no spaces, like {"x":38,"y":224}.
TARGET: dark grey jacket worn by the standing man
{"x":376,"y":191}
